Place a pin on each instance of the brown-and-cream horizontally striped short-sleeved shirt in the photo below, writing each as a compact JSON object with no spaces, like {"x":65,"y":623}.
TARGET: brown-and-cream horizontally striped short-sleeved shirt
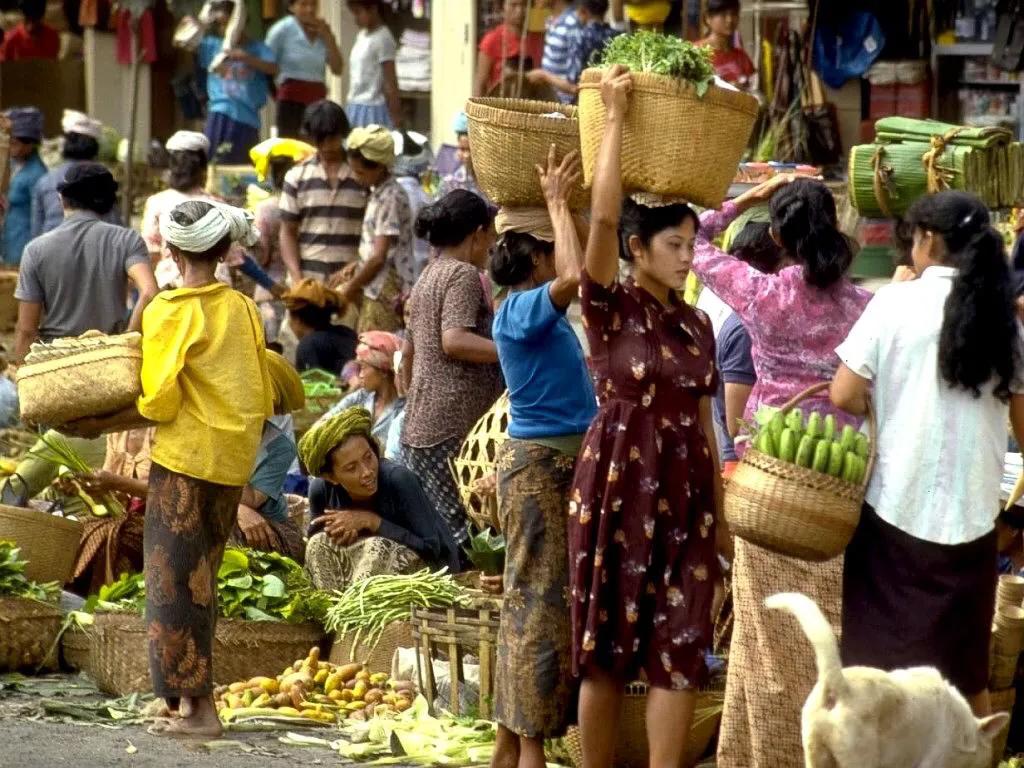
{"x":330,"y":217}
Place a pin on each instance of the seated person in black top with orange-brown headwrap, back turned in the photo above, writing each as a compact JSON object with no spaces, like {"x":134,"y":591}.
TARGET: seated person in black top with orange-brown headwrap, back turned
{"x":312,"y":308}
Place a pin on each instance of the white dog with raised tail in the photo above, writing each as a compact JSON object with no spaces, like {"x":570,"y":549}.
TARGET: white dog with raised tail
{"x":862,"y":717}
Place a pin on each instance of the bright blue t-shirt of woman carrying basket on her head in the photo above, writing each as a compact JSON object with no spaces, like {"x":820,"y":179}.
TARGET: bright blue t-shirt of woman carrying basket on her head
{"x":544,"y":367}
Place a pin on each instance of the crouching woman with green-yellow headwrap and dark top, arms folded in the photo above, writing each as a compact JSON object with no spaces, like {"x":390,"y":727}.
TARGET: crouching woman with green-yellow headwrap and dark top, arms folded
{"x":370,"y":516}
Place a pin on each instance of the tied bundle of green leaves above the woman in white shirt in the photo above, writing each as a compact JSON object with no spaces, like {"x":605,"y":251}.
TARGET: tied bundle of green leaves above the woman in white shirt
{"x":912,"y":158}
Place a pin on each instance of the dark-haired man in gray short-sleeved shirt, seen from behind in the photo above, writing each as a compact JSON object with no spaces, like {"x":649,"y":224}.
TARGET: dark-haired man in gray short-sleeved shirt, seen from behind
{"x":75,"y":279}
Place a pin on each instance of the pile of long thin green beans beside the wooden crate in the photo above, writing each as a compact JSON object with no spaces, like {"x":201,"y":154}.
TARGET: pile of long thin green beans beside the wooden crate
{"x":369,"y":607}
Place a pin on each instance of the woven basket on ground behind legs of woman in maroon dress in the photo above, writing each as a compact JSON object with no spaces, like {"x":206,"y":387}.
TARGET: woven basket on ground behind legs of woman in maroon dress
{"x":631,"y":752}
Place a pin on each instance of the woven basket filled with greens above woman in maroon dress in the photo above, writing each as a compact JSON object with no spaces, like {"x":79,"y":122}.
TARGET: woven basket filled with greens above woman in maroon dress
{"x":675,"y":144}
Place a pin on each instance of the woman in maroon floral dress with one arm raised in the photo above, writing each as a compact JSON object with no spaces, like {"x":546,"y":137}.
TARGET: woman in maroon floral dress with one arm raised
{"x":644,"y":508}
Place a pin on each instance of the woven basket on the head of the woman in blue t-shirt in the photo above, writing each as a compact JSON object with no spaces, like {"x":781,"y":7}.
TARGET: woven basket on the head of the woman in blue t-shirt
{"x":513,"y":137}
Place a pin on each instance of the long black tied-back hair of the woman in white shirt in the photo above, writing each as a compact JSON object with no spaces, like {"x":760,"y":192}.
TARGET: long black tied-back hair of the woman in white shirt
{"x":980,"y":336}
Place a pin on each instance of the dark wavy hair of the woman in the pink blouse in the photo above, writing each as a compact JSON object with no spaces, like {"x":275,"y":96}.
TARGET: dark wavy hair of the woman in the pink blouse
{"x":803,"y":217}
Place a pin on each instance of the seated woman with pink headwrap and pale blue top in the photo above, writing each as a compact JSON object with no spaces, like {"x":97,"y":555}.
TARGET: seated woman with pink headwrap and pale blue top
{"x":378,"y":391}
